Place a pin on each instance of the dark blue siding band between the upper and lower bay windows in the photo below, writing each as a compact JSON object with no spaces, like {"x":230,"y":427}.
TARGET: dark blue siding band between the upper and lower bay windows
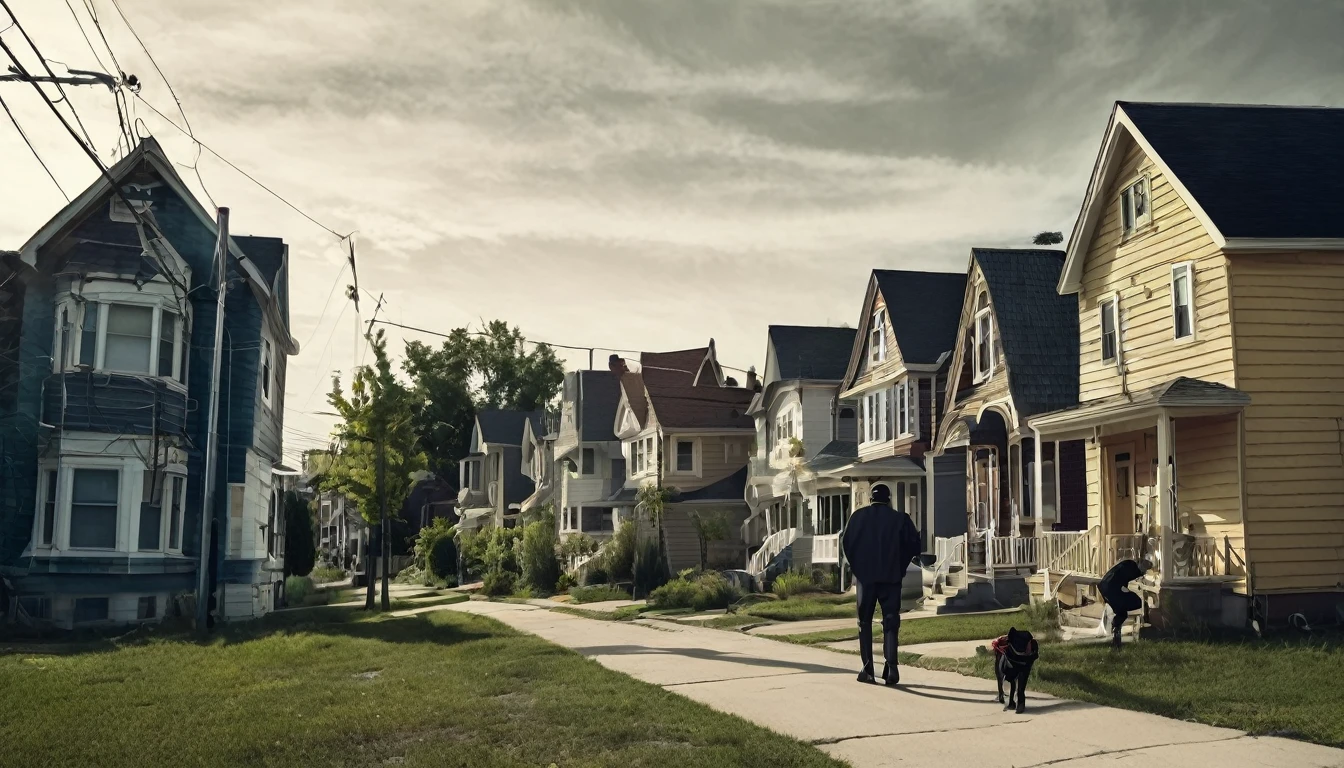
{"x":114,"y":403}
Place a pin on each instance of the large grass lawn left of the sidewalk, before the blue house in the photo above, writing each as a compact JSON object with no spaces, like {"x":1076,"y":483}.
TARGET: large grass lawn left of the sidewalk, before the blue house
{"x":331,"y":687}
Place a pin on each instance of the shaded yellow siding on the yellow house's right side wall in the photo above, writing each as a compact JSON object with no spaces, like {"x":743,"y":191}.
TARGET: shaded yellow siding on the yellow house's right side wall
{"x":1290,"y":319}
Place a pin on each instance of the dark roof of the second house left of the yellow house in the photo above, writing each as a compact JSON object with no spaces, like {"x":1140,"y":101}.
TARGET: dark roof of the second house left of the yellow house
{"x":924,"y":309}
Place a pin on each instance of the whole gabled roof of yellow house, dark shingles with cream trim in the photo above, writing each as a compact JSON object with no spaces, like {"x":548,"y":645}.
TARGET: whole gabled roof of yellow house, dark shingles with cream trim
{"x":1261,"y":178}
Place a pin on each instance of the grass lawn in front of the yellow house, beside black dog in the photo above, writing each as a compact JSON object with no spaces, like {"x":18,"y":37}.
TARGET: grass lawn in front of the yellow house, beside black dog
{"x":1276,"y":687}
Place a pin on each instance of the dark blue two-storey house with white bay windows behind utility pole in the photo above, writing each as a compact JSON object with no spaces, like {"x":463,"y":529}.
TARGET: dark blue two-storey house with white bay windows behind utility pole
{"x":103,"y":418}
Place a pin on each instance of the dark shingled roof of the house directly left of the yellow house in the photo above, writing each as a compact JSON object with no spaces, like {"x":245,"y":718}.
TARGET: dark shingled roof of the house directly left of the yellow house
{"x":1038,"y":326}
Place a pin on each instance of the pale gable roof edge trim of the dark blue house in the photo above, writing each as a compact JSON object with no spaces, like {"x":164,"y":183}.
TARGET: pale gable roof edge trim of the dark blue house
{"x":149,"y":151}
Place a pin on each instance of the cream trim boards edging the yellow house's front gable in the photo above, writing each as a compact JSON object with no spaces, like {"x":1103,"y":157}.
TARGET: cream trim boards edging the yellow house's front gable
{"x":1096,"y":200}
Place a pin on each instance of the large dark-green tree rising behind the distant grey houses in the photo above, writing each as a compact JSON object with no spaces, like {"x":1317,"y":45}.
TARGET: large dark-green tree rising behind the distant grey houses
{"x":472,"y":372}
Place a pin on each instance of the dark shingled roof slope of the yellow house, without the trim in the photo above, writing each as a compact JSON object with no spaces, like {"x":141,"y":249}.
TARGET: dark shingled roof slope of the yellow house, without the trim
{"x":1257,"y":171}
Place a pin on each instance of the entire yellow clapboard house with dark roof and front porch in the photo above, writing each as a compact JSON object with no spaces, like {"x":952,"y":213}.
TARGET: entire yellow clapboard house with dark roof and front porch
{"x":1209,"y":266}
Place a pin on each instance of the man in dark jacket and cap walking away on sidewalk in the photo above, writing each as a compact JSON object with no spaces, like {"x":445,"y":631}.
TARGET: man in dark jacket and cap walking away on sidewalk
{"x":880,"y":543}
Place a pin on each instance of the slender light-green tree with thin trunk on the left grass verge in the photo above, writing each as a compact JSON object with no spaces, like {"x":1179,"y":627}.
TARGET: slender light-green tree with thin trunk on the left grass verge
{"x":378,"y":451}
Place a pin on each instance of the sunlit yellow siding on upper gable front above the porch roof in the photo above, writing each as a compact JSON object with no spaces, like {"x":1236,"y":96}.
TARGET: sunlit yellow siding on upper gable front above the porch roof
{"x":1140,"y":272}
